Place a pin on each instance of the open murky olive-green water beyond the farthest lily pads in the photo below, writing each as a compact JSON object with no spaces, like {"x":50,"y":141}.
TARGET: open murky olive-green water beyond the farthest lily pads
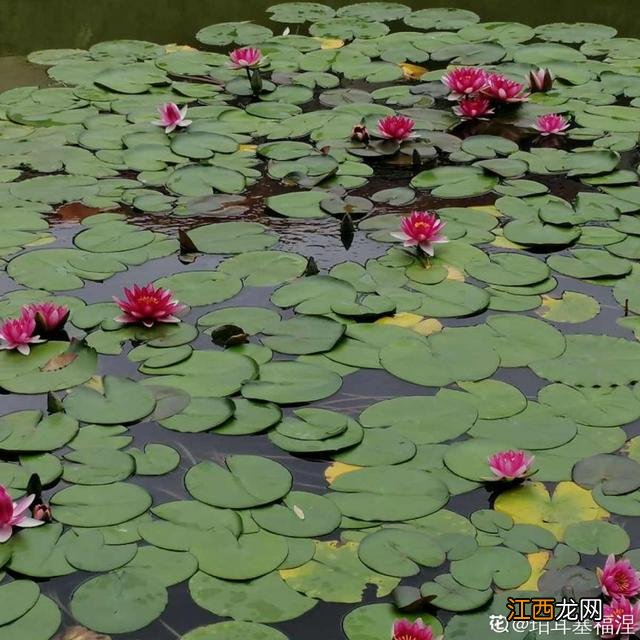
{"x":43,"y":24}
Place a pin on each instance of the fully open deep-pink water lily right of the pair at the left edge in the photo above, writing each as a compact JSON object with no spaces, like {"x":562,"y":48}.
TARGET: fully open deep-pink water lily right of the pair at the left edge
{"x":148,"y":305}
